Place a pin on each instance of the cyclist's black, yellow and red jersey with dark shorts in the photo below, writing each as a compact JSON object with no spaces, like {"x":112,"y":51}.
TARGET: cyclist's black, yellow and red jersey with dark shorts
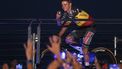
{"x":83,"y":29}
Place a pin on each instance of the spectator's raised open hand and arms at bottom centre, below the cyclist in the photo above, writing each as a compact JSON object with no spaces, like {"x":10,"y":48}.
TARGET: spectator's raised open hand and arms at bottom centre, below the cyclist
{"x":58,"y":62}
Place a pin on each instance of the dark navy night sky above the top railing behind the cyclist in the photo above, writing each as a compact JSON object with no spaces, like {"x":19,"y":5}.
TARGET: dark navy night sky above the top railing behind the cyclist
{"x":48,"y":8}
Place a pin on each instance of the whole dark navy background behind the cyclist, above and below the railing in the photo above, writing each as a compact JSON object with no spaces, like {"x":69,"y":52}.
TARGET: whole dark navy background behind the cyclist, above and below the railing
{"x":13,"y":33}
